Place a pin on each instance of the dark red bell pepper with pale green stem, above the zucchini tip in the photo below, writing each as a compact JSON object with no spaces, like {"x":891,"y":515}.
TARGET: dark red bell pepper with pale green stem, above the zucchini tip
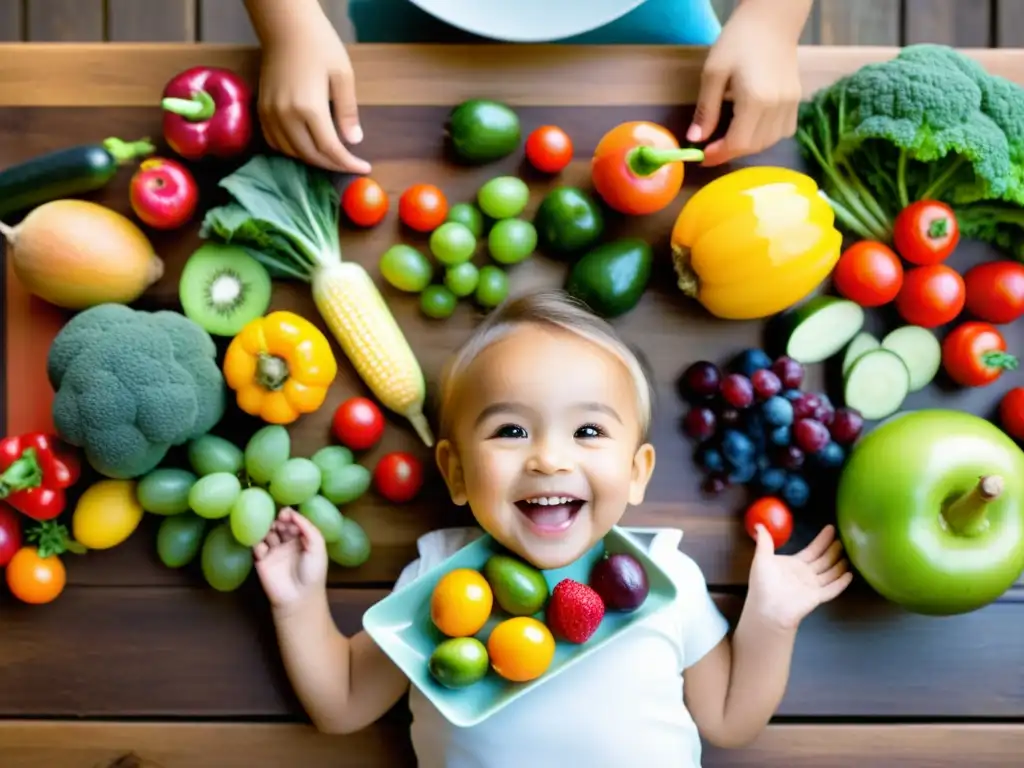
{"x":207,"y":112}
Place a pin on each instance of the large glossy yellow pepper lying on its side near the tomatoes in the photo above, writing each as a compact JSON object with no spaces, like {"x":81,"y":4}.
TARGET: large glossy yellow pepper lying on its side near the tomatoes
{"x":755,"y":242}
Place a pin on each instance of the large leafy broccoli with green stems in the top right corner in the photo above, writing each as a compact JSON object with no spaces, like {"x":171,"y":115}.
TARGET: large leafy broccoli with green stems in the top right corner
{"x":929,"y":124}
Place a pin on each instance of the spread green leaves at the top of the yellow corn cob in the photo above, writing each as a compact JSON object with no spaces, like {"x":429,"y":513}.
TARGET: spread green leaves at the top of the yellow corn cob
{"x":286,"y":214}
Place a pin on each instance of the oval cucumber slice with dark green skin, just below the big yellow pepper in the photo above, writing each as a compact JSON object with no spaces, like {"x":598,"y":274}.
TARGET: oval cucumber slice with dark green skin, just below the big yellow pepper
{"x":821,"y":328}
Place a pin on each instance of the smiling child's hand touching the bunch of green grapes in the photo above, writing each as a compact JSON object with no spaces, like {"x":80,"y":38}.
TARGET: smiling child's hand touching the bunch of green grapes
{"x":291,"y":562}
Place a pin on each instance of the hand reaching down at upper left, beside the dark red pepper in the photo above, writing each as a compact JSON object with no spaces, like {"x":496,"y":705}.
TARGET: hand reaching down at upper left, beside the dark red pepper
{"x":301,"y":74}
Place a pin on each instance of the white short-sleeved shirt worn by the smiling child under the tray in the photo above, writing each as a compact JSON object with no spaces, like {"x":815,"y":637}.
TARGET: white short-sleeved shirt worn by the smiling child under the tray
{"x":620,"y":708}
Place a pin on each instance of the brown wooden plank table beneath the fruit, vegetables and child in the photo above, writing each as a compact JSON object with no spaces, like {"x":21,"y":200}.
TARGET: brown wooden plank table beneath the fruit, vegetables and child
{"x":137,"y":660}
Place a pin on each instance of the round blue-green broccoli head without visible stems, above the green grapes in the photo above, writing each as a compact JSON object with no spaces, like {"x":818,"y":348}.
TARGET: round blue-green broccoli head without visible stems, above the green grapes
{"x":132,"y":385}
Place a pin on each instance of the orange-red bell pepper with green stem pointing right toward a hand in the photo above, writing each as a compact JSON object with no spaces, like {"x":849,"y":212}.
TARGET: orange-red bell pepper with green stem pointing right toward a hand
{"x":637,"y":167}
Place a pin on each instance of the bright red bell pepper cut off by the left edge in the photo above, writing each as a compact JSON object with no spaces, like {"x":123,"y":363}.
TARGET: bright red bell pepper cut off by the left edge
{"x":34,"y":475}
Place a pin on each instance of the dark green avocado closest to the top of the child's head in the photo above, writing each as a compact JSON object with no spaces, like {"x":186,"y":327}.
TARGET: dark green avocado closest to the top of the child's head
{"x":612,"y":278}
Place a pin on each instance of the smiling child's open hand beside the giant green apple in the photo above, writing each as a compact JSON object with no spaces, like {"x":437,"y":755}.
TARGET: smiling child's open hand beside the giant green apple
{"x":784,"y":589}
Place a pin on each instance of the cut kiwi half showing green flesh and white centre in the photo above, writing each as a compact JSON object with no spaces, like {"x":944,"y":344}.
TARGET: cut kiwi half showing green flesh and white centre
{"x":223,"y":288}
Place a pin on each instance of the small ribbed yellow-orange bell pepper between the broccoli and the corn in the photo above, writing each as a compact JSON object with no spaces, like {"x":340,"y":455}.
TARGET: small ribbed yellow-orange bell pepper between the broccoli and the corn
{"x":280,"y":367}
